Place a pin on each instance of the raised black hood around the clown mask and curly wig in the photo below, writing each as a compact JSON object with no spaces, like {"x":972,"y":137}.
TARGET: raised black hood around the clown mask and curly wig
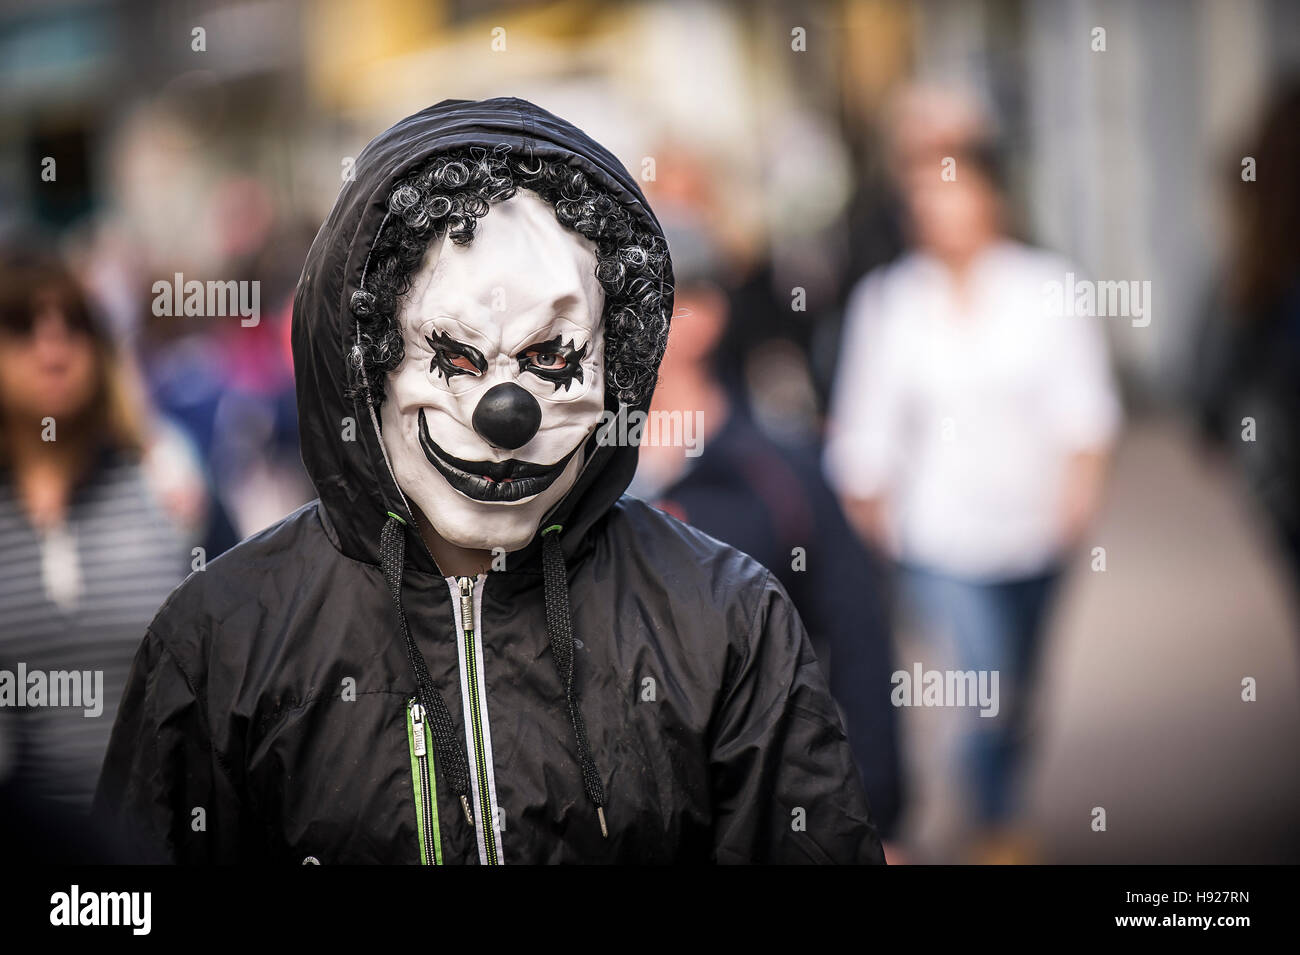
{"x":352,"y":477}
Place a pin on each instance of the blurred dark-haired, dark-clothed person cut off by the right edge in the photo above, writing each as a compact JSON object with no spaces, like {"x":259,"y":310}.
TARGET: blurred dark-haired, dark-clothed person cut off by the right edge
{"x":1247,"y":359}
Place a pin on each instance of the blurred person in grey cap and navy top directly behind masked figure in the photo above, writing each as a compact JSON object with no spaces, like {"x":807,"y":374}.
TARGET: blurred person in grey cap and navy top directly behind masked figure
{"x":772,"y":502}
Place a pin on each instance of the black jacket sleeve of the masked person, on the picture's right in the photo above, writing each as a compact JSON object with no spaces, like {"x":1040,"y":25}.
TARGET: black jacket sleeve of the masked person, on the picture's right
{"x":785,"y":785}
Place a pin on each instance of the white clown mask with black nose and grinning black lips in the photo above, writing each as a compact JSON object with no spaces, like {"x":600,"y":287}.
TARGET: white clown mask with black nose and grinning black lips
{"x":504,"y":377}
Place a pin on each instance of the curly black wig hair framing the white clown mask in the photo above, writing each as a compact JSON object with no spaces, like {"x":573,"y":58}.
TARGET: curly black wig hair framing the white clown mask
{"x":449,"y":196}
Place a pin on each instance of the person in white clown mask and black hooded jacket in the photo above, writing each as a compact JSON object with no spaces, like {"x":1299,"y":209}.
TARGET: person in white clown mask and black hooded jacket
{"x":475,"y":648}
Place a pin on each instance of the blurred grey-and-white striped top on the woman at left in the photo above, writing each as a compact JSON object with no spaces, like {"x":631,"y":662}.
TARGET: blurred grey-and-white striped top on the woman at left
{"x":79,"y":598}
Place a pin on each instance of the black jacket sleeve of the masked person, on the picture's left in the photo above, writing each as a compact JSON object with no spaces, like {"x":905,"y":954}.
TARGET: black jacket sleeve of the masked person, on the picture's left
{"x":163,"y":795}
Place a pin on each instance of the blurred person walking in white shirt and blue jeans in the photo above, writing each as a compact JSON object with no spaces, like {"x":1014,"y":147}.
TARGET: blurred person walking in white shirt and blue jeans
{"x":970,"y":428}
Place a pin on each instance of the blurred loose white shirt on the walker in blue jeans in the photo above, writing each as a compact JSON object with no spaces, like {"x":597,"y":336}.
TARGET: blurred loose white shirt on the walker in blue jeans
{"x":964,"y":415}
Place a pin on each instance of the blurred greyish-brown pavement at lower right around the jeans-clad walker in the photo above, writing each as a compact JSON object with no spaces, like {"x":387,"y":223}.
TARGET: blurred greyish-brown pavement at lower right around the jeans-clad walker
{"x":1141,"y":700}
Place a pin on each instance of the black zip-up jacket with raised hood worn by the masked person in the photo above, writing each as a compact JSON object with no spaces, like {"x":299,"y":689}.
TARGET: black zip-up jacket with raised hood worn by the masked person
{"x":268,"y":715}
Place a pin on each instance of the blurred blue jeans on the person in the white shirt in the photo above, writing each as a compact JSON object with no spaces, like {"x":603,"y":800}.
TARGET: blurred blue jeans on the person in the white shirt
{"x":994,"y":627}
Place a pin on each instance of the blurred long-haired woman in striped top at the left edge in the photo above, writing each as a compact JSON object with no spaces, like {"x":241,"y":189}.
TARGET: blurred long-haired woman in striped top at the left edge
{"x":89,"y":550}
